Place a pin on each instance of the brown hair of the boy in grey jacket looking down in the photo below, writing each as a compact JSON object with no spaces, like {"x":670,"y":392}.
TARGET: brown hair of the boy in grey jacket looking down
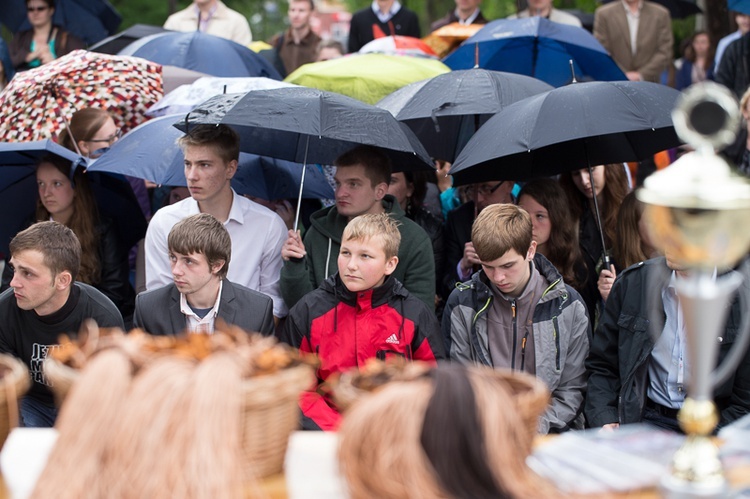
{"x":500,"y":228}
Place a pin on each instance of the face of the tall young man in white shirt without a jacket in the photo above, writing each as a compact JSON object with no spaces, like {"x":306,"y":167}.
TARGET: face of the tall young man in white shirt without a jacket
{"x":208,"y":175}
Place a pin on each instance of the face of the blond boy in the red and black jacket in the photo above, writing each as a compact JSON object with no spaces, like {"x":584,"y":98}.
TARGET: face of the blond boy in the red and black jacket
{"x":363,"y":264}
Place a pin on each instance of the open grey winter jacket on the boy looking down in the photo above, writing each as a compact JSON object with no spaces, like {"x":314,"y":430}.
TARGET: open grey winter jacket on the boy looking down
{"x":561,"y":340}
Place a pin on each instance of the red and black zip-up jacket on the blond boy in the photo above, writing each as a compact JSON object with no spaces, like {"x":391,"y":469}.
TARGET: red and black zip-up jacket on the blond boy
{"x":346,"y":329}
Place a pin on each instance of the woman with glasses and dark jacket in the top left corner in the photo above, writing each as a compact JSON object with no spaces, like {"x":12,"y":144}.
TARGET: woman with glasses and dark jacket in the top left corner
{"x":44,"y":42}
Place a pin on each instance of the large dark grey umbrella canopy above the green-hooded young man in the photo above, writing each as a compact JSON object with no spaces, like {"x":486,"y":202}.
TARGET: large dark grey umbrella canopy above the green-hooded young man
{"x":308,"y":125}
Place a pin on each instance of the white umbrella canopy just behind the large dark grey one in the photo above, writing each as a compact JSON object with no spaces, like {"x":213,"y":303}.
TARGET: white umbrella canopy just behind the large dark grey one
{"x":186,"y":97}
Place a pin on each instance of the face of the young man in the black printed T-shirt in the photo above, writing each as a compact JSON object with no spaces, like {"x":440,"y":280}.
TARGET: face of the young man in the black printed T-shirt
{"x":34,"y":286}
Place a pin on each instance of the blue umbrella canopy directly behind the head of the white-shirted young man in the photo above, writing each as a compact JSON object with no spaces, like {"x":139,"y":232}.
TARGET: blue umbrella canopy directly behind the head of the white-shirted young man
{"x":151,"y":152}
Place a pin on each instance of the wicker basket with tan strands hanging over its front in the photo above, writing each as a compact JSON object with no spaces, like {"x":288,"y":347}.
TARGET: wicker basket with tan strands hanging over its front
{"x":270,"y":412}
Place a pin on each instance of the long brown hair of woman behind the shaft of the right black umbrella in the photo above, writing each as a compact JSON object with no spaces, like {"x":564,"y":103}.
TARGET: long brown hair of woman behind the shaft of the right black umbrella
{"x":614,"y":191}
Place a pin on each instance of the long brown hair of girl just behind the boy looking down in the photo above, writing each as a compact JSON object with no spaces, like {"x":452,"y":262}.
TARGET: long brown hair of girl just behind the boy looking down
{"x":562,"y":248}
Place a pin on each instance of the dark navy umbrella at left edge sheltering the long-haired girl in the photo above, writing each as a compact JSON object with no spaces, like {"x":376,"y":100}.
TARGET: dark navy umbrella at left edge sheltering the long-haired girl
{"x":18,"y":189}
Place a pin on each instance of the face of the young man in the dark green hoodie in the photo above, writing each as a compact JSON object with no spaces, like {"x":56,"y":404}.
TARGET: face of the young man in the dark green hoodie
{"x":355,"y":194}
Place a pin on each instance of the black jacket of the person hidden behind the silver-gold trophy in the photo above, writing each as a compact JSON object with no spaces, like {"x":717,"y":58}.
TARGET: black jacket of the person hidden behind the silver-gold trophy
{"x":620,"y":351}
